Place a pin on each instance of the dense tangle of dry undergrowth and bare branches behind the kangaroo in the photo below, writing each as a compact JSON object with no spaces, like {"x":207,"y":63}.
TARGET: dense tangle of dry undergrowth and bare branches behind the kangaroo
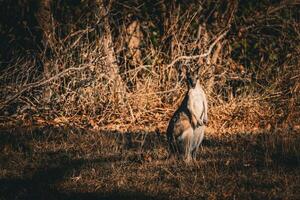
{"x":251,"y":73}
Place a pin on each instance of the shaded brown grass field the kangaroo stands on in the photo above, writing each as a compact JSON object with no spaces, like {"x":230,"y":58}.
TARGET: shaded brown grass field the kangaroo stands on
{"x":72,"y":163}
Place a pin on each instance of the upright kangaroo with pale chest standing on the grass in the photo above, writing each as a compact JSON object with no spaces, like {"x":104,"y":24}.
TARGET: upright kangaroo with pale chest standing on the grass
{"x":185,"y":131}
